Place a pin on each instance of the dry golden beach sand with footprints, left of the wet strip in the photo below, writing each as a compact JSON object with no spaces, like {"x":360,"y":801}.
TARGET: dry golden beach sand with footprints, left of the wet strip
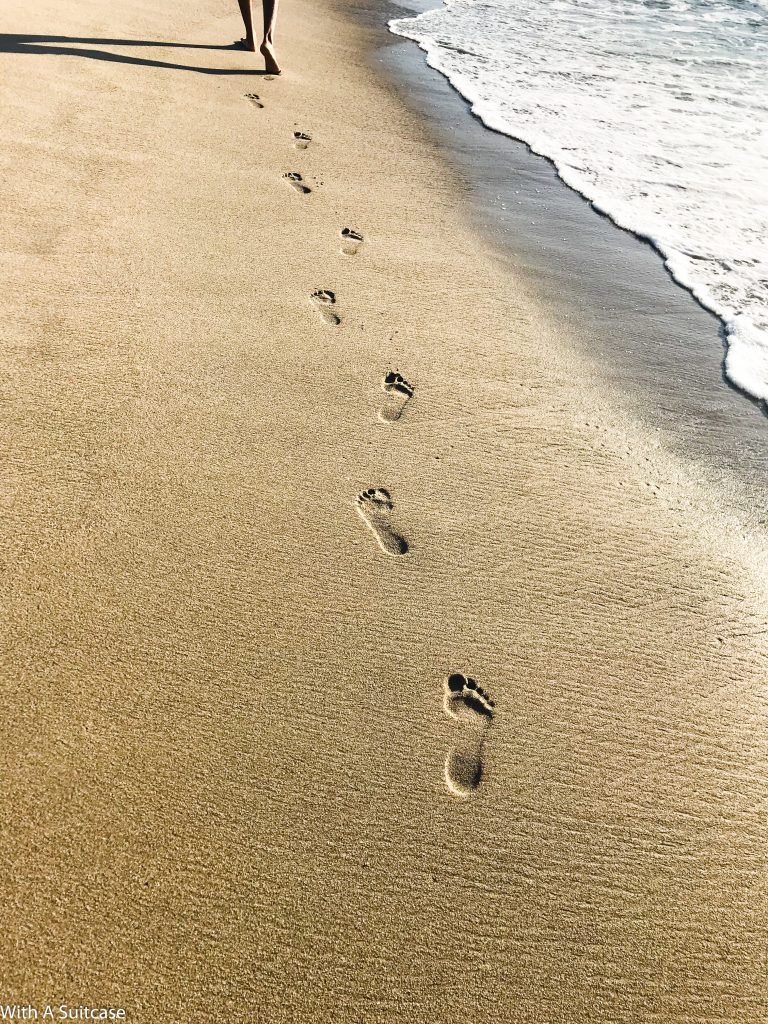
{"x":227,"y":720}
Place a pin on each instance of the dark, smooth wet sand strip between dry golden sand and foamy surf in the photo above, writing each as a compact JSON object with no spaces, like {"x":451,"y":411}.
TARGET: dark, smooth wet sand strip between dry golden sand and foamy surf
{"x":667,"y":365}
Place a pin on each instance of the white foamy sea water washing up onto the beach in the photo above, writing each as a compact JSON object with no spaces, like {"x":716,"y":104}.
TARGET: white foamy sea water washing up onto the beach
{"x":656,"y":111}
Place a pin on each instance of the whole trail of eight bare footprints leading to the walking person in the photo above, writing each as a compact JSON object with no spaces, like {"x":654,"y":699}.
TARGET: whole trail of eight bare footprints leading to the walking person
{"x":464,"y":702}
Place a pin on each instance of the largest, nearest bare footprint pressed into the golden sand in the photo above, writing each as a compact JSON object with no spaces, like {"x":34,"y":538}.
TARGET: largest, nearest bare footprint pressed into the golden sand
{"x":474,"y":710}
